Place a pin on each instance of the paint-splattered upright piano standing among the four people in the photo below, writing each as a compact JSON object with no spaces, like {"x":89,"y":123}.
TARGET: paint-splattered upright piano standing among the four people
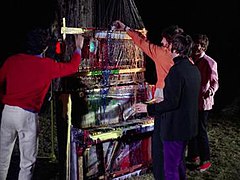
{"x":107,"y":139}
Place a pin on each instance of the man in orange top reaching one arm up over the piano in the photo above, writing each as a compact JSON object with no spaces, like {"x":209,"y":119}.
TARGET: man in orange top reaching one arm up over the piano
{"x":163,"y":59}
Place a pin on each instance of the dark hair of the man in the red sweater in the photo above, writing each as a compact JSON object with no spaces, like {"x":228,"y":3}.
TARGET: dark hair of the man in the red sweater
{"x":37,"y":40}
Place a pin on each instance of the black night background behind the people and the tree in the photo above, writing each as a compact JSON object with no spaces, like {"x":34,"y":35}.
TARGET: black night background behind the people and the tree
{"x":219,"y":20}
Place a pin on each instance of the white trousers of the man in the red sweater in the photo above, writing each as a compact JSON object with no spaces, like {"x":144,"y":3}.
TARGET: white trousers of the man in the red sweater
{"x":17,"y":122}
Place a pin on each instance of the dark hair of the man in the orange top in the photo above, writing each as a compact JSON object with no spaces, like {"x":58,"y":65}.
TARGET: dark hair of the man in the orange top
{"x":171,"y":31}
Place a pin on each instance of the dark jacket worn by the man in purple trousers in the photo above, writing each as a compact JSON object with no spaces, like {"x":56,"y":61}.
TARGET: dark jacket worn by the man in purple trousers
{"x":178,"y":112}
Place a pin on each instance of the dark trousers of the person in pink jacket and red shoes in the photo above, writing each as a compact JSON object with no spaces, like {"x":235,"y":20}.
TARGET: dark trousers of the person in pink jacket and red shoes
{"x":199,"y":146}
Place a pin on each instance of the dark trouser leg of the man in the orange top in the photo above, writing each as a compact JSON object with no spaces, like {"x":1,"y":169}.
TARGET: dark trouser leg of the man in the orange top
{"x":157,"y":152}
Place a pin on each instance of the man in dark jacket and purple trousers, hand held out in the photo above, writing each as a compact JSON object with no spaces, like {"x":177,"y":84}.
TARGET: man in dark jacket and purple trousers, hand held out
{"x":178,"y":112}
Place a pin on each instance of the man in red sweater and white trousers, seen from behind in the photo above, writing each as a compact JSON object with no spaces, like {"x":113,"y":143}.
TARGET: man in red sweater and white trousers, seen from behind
{"x":24,"y":83}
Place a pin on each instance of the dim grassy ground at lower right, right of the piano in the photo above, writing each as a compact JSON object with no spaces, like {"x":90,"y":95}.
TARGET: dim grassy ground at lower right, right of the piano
{"x":224,"y":137}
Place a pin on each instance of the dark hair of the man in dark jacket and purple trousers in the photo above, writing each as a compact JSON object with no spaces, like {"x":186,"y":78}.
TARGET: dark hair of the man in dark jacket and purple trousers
{"x":182,"y":44}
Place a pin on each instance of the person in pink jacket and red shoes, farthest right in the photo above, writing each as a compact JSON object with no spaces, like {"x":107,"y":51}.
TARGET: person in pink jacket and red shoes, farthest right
{"x":198,"y":147}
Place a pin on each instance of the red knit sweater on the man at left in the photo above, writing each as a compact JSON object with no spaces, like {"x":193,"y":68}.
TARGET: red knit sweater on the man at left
{"x":25,"y":79}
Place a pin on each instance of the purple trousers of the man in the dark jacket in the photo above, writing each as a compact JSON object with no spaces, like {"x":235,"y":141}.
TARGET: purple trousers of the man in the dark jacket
{"x":174,"y":164}
